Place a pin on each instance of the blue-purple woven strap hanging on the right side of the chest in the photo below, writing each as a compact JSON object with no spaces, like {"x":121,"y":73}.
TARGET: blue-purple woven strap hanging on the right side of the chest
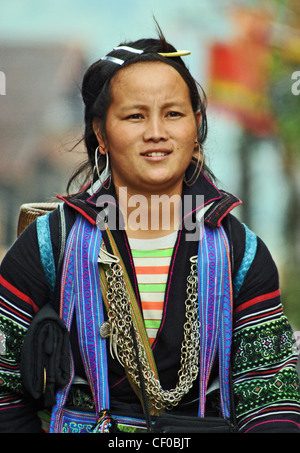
{"x":215,"y":311}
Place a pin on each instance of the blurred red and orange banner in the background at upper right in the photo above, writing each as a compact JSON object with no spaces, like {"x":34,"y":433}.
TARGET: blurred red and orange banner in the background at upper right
{"x":238,"y":86}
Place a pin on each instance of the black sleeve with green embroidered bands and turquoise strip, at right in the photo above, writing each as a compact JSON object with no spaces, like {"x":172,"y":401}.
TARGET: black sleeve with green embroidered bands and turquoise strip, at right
{"x":265,"y":379}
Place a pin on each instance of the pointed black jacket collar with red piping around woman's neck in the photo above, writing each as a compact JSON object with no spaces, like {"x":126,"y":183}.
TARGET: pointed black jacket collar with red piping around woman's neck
{"x":202,"y":198}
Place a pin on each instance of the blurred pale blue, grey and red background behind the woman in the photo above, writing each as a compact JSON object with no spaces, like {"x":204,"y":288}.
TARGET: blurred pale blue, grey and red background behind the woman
{"x":245,"y":54}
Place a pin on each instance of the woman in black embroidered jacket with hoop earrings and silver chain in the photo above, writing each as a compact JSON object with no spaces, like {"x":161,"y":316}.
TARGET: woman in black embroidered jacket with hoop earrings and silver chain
{"x":172,"y":304}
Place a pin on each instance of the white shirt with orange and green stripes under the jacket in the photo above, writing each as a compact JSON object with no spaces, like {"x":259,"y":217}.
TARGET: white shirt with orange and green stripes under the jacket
{"x":152,"y":259}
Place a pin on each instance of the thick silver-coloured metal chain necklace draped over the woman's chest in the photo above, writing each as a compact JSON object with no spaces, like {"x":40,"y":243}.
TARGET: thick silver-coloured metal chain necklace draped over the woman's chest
{"x":119,"y":328}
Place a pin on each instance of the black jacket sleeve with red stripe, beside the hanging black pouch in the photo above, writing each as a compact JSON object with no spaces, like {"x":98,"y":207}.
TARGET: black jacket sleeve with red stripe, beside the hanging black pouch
{"x":23,"y":291}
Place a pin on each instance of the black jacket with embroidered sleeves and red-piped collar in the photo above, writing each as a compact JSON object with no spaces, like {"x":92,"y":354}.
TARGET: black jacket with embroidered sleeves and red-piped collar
{"x":265,"y":381}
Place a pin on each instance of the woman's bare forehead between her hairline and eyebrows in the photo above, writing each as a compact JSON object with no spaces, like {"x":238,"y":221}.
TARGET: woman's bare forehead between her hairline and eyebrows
{"x":147,"y":78}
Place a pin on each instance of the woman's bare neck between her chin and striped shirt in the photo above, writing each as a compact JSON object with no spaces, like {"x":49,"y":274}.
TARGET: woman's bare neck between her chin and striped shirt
{"x":150,"y":216}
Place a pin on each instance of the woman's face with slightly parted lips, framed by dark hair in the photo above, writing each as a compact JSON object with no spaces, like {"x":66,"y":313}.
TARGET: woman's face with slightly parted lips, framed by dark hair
{"x":151,"y":129}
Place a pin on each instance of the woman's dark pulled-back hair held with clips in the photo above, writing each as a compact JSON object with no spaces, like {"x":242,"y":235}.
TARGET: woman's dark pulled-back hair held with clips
{"x":96,"y":92}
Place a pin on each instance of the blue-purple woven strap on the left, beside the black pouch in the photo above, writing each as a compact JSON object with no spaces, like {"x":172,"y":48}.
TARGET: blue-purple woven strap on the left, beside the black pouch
{"x":80,"y":290}
